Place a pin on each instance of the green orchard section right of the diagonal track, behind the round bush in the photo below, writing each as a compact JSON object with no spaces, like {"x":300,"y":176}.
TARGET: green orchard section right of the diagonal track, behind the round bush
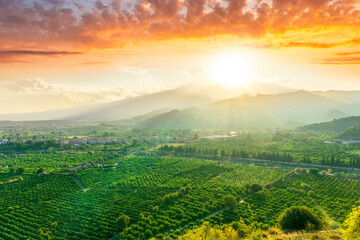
{"x":335,"y":197}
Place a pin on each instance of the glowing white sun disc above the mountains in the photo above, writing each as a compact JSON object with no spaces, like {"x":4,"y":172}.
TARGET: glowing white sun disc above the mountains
{"x":231,"y":70}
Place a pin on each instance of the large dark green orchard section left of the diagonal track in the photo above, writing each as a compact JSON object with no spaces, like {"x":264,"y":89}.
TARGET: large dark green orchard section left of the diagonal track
{"x":160,"y":197}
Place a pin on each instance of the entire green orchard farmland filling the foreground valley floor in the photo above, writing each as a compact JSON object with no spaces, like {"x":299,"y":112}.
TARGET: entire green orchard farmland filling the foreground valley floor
{"x":160,"y":197}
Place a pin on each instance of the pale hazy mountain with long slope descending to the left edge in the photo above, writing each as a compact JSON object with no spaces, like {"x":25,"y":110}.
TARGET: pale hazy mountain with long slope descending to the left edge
{"x":131,"y":107}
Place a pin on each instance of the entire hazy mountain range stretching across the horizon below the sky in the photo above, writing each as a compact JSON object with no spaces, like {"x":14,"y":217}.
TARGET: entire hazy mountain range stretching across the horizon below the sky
{"x":186,"y":107}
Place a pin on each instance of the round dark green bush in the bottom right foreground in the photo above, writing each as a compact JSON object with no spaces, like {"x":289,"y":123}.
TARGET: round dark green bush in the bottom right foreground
{"x":300,"y":218}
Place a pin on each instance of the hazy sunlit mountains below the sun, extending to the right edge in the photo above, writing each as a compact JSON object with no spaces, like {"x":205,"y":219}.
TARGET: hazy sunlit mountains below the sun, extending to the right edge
{"x":277,"y":110}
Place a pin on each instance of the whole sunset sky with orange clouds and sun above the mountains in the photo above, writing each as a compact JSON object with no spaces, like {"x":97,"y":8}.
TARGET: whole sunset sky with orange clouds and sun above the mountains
{"x":59,"y":53}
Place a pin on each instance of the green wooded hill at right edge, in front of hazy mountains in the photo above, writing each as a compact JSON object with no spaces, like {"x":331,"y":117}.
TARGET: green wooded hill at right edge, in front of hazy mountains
{"x":335,"y":126}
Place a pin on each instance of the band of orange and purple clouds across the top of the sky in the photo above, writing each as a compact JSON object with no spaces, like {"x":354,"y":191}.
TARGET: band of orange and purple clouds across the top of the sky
{"x":70,"y":26}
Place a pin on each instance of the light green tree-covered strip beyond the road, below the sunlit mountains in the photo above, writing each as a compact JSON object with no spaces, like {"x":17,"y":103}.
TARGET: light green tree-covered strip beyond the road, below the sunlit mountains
{"x":311,"y":148}
